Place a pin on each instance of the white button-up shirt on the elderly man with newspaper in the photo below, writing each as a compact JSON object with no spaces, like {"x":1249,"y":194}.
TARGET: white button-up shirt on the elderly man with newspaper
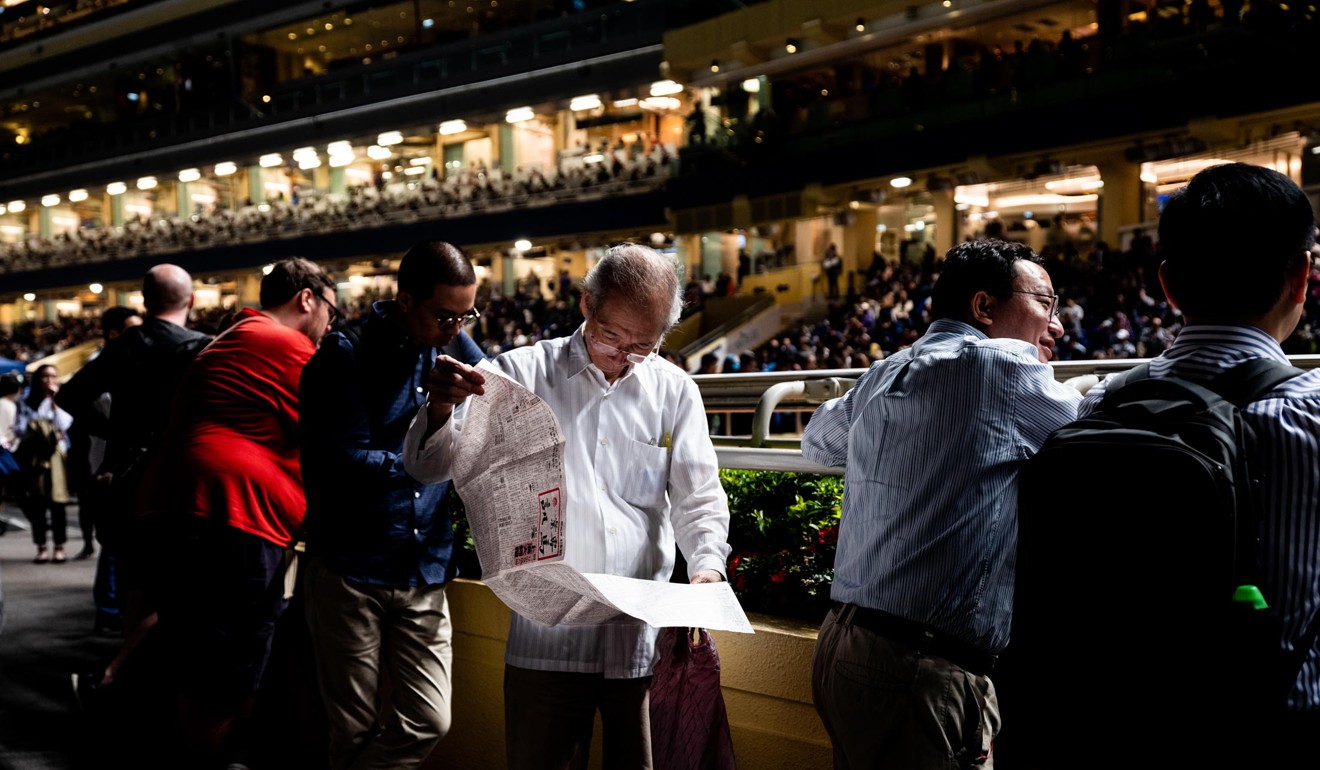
{"x":640,"y":475}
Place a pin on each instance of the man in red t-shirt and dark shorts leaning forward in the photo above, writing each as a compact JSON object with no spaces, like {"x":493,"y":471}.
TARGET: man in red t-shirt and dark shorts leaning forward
{"x":228,"y":481}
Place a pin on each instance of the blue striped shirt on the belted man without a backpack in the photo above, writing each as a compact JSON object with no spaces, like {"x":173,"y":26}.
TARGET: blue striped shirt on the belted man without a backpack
{"x":933,"y":439}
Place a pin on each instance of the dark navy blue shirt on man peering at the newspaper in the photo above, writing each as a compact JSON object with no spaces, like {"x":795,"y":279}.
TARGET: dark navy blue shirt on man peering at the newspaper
{"x":368,"y":520}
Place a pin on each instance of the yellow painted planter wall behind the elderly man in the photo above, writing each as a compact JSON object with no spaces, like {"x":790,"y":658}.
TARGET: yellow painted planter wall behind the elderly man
{"x":766,"y":682}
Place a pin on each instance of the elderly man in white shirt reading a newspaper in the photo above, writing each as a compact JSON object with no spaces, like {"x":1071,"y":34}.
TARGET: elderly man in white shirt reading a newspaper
{"x":641,"y":475}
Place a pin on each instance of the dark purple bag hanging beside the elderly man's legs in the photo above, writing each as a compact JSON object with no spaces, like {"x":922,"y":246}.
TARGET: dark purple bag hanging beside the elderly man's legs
{"x":690,"y":728}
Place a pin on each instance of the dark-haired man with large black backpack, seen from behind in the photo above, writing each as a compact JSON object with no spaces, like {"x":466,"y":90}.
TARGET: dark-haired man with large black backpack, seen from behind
{"x":1135,"y":588}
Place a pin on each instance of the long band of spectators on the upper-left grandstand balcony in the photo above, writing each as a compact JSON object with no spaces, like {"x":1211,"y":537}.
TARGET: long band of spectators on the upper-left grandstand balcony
{"x":471,"y":191}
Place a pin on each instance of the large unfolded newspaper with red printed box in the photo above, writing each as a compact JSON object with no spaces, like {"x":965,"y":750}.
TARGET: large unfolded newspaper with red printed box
{"x":509,"y":468}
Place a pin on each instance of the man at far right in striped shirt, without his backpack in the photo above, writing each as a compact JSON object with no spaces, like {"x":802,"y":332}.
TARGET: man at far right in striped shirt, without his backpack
{"x":1237,"y":256}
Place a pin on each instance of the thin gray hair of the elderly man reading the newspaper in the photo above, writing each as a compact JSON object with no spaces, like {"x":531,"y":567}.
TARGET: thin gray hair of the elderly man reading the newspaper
{"x":640,"y":275}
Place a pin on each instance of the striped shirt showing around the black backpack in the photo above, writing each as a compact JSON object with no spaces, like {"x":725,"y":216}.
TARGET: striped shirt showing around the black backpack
{"x":1288,"y":430}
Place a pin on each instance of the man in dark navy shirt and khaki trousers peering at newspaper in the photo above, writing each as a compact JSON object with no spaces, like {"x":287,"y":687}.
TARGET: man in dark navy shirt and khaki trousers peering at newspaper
{"x":381,"y":542}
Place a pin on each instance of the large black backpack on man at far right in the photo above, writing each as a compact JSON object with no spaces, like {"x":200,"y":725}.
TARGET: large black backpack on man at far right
{"x":1137,"y":526}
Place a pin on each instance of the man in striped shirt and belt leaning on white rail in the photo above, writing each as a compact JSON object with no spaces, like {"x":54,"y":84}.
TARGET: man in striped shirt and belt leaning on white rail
{"x":933,"y":440}
